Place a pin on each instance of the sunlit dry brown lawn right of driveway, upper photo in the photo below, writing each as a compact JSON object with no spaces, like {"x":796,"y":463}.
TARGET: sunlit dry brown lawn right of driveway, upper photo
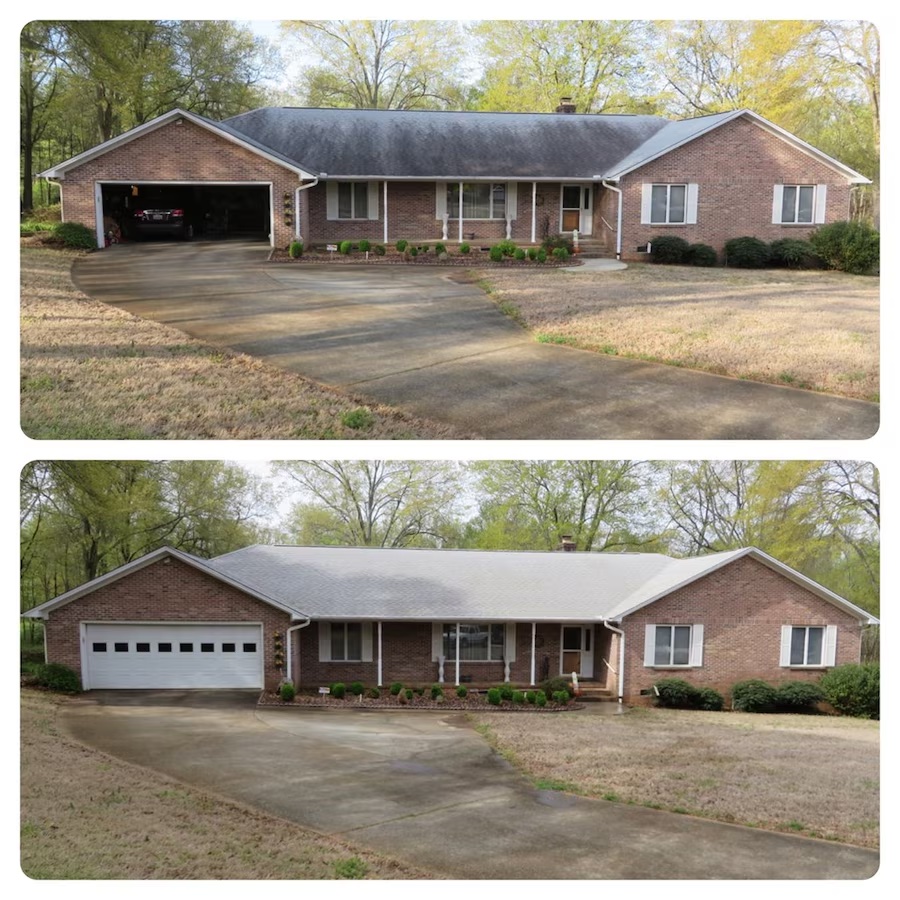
{"x":810,"y":329}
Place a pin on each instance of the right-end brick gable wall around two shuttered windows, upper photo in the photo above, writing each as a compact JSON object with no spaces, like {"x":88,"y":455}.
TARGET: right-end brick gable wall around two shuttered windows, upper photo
{"x":736,"y":167}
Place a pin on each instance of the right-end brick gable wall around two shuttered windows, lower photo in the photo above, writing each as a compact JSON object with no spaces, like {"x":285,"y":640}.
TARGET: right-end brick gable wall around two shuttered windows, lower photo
{"x":742,"y":608}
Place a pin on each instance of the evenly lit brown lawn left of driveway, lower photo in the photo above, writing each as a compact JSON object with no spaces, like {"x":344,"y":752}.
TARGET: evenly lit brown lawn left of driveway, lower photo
{"x":87,"y":815}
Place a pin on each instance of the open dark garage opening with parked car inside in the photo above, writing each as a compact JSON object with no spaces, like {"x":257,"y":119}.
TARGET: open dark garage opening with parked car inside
{"x":166,"y":211}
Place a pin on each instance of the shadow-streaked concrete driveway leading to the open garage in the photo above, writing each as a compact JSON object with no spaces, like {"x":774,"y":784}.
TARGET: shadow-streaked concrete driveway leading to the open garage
{"x":413,"y":338}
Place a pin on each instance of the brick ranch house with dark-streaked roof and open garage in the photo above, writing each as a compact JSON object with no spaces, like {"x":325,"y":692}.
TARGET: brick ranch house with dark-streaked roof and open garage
{"x":326,"y":175}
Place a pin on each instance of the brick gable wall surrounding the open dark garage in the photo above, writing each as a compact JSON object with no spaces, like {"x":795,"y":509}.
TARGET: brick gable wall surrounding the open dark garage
{"x":173,"y":152}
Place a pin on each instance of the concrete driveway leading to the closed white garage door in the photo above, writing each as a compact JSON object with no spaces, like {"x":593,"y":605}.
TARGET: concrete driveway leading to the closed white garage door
{"x":425,"y":788}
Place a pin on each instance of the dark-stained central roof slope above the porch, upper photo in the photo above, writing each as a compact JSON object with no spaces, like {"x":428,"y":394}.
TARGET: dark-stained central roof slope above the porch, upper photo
{"x":358,"y":143}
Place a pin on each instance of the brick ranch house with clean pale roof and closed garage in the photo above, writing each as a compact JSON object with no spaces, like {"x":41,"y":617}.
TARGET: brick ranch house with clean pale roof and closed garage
{"x":316,"y":615}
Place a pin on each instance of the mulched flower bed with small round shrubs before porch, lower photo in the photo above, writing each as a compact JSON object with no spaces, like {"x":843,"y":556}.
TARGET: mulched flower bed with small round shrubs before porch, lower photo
{"x":502,"y":698}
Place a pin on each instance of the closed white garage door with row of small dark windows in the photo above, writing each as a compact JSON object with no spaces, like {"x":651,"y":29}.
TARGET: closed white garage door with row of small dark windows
{"x":173,"y":656}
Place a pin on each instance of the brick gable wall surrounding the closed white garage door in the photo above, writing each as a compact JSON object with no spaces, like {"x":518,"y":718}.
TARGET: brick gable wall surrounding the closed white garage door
{"x":165,"y":591}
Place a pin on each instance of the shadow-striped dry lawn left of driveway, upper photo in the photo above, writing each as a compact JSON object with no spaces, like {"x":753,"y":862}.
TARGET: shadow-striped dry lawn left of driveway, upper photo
{"x":91,"y":371}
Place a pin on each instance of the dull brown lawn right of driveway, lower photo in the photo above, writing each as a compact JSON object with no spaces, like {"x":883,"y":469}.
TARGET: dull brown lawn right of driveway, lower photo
{"x":812,"y":775}
